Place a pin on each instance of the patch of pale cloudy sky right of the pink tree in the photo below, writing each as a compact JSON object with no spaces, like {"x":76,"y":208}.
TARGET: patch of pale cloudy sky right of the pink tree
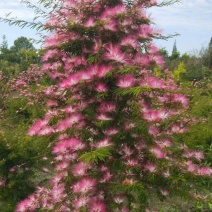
{"x":190,"y":18}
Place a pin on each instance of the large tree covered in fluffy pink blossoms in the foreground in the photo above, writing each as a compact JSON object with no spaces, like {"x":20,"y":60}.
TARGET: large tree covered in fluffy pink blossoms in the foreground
{"x":113,"y":121}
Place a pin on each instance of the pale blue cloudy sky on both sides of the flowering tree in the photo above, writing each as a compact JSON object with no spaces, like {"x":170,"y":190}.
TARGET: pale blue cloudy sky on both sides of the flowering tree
{"x":192,"y":19}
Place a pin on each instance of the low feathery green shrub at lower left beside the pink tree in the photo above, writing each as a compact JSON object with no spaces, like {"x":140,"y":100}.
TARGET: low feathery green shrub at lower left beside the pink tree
{"x":18,"y":151}
